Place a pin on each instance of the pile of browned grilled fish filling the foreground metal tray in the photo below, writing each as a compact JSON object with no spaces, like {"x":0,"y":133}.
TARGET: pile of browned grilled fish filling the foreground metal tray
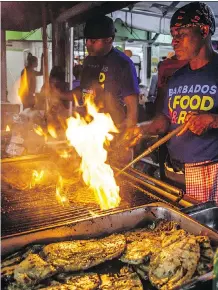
{"x":165,"y":255}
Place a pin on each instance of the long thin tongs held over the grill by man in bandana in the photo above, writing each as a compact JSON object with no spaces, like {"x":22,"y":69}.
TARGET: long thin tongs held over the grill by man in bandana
{"x":153,"y":147}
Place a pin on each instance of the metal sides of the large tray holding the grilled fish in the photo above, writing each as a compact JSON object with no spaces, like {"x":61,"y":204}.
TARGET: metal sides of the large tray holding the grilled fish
{"x":111,"y":223}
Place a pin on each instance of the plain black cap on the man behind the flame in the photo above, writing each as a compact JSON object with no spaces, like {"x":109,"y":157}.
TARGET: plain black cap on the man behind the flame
{"x":99,"y":27}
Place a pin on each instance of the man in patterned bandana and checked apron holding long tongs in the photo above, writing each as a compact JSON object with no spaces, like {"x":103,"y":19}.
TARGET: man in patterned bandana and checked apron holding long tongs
{"x":192,"y":99}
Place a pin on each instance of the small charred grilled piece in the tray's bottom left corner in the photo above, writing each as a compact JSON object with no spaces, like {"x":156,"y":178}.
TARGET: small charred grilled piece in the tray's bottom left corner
{"x":32,"y":270}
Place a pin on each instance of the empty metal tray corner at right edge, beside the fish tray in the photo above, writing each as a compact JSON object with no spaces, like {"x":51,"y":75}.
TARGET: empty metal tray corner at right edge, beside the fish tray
{"x":208,"y":217}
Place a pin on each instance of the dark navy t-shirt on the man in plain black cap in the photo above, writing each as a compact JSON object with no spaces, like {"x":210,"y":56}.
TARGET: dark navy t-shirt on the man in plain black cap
{"x":115,"y":73}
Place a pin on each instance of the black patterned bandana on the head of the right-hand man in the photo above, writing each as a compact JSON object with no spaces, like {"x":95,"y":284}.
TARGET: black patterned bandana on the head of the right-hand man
{"x":194,"y":14}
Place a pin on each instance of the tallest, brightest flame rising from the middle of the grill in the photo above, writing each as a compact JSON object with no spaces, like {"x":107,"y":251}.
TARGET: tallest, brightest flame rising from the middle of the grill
{"x":88,"y":140}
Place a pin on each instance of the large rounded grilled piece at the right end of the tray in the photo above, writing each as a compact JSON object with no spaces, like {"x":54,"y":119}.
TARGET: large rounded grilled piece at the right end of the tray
{"x":175,"y":264}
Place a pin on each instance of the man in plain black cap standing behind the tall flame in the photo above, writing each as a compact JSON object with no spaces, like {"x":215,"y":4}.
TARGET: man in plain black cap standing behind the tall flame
{"x":108,"y":73}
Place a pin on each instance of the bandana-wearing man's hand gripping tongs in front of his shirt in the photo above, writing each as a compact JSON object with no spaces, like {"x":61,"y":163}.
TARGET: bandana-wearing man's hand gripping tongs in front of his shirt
{"x":197,"y":123}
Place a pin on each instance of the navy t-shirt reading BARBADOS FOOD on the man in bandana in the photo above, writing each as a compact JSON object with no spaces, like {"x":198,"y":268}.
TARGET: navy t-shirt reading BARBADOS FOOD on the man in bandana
{"x":193,"y":91}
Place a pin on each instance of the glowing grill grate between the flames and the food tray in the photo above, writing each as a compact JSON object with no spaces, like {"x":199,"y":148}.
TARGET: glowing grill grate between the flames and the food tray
{"x":37,"y":209}
